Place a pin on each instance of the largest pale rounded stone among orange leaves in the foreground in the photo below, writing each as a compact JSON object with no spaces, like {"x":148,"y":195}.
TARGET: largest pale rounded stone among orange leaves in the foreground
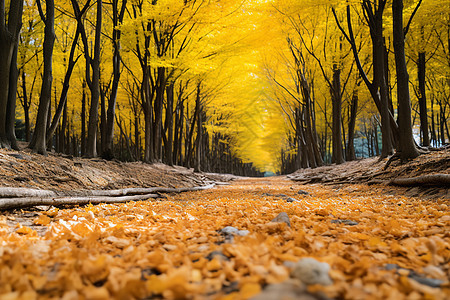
{"x":311,"y":271}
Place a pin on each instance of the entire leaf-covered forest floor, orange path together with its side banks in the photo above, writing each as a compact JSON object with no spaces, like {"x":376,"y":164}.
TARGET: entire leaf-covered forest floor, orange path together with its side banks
{"x":378,"y":241}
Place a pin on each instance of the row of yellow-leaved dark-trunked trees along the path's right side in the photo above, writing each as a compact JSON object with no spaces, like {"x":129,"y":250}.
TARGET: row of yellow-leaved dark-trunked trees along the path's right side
{"x":356,"y":54}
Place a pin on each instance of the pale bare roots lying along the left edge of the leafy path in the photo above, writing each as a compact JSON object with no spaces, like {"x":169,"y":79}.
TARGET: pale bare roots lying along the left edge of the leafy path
{"x":20,"y":198}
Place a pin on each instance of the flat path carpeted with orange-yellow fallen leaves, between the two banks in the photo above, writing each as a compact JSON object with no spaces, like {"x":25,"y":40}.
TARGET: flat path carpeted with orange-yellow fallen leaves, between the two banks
{"x":377,"y":245}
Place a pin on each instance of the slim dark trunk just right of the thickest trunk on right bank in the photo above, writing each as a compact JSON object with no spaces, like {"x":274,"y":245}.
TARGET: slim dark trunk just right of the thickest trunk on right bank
{"x":423,"y":100}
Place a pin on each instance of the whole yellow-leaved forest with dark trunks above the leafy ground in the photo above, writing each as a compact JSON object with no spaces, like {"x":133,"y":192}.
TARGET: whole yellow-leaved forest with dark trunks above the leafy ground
{"x":244,"y":87}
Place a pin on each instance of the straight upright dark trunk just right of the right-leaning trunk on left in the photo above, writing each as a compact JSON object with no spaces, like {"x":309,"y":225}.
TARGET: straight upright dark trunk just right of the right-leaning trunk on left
{"x":91,"y":147}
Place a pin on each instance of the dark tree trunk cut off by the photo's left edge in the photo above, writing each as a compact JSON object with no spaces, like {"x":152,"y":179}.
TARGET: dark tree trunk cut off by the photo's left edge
{"x":9,"y":37}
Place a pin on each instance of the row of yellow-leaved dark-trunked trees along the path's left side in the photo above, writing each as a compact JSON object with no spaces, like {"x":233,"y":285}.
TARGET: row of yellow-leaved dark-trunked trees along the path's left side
{"x":140,"y":72}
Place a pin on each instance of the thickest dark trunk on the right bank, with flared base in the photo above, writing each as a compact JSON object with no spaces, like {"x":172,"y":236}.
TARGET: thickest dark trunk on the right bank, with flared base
{"x":407,"y":147}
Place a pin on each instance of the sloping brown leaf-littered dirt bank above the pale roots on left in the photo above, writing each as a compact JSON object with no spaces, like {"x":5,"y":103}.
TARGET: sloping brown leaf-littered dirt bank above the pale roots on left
{"x":66,"y":174}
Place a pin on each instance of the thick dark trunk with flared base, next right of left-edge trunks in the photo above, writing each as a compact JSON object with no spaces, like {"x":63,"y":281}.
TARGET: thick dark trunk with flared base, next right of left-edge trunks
{"x":38,"y":142}
